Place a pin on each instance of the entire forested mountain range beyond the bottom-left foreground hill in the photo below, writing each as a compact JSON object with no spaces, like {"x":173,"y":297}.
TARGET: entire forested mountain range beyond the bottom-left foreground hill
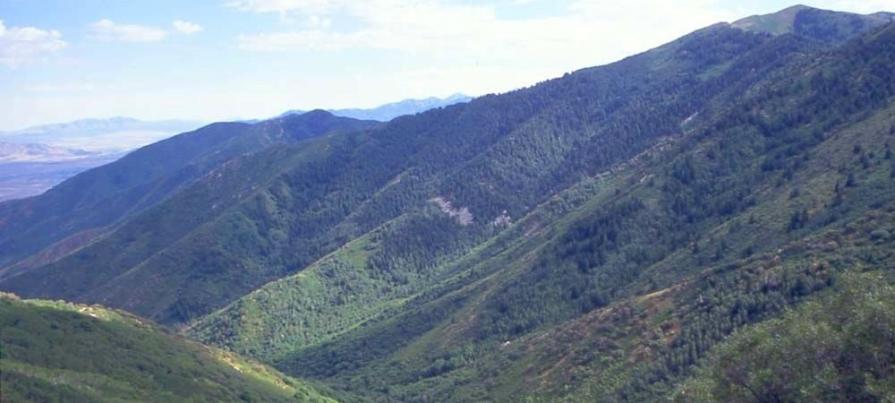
{"x":710,"y":220}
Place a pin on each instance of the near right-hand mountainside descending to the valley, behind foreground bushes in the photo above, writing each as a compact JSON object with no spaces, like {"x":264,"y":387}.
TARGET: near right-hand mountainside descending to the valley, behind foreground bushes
{"x":742,"y":210}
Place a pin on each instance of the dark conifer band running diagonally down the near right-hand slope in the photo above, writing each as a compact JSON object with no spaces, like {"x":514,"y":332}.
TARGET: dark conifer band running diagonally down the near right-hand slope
{"x":600,"y":255}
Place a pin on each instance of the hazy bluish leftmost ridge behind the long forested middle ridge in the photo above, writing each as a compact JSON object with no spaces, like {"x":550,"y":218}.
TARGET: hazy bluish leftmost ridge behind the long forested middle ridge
{"x":105,"y":195}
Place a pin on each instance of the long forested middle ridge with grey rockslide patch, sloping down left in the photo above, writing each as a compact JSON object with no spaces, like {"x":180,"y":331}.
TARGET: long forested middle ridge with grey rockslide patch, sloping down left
{"x":279,"y":211}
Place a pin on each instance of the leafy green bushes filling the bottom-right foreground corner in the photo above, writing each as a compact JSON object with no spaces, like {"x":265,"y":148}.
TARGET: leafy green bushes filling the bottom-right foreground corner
{"x":838,"y":348}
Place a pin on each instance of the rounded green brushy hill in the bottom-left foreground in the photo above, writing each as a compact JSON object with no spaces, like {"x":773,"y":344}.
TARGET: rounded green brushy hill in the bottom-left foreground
{"x":54,"y":351}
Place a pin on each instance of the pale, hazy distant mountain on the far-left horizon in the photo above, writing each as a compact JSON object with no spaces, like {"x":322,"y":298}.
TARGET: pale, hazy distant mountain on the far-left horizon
{"x":113,"y":135}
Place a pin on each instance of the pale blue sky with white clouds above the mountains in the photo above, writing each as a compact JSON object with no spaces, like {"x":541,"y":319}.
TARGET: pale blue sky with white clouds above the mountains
{"x":212,"y":60}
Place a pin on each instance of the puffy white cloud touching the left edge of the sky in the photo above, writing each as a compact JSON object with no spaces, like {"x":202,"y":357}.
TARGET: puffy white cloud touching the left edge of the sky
{"x":19,"y":45}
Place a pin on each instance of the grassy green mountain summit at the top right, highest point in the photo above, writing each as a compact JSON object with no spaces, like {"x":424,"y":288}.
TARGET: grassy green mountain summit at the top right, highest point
{"x":815,"y":23}
